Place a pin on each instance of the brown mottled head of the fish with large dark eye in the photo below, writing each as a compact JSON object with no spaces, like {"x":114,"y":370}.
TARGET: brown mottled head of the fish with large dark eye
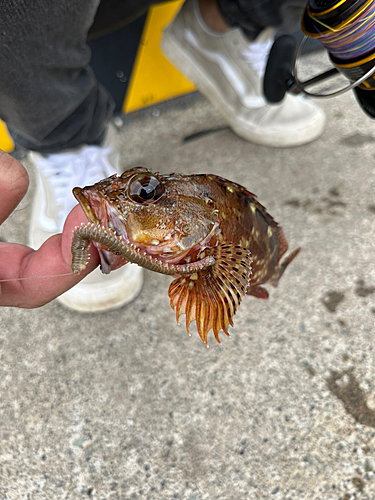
{"x":158,"y":214}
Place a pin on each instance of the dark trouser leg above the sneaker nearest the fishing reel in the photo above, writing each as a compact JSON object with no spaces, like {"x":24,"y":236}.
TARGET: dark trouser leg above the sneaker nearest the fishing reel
{"x":255,"y":15}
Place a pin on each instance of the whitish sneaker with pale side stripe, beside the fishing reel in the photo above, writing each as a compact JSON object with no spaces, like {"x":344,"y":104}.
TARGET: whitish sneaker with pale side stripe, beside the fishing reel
{"x":228,"y":70}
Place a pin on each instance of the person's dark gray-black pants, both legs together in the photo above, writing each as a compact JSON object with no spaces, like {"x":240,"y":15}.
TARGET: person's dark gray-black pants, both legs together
{"x":49,"y":97}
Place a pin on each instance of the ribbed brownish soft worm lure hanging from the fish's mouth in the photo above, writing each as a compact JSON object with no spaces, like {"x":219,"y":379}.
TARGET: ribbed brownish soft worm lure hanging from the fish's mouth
{"x":86,"y":233}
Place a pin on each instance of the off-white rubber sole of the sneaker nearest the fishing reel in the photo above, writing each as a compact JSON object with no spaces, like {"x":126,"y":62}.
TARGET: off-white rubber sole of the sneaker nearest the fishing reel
{"x":182,"y":60}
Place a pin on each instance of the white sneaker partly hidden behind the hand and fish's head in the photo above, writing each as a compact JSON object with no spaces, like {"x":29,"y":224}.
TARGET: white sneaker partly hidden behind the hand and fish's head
{"x":57,"y":175}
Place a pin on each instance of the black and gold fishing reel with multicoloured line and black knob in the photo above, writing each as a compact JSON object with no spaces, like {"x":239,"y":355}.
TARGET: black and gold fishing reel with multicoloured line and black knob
{"x":346,"y":29}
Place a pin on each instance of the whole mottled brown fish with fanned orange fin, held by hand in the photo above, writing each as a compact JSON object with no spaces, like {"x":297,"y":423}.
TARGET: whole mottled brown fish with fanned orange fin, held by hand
{"x":212,"y":235}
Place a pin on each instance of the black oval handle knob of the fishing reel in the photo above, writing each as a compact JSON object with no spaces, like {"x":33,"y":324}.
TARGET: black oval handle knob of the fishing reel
{"x":278,"y":78}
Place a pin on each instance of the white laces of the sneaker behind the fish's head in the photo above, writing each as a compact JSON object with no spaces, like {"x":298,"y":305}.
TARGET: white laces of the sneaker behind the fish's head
{"x":64,"y":171}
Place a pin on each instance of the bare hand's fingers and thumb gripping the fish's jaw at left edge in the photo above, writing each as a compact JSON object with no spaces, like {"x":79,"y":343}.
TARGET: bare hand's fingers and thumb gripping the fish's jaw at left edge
{"x":19,"y":261}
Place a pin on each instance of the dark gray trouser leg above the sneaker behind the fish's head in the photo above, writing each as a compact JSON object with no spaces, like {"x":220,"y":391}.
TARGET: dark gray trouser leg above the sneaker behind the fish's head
{"x":49,"y":97}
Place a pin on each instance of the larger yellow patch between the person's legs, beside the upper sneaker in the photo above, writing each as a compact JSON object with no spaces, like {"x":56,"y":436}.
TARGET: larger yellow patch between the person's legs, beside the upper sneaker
{"x":154,"y":79}
